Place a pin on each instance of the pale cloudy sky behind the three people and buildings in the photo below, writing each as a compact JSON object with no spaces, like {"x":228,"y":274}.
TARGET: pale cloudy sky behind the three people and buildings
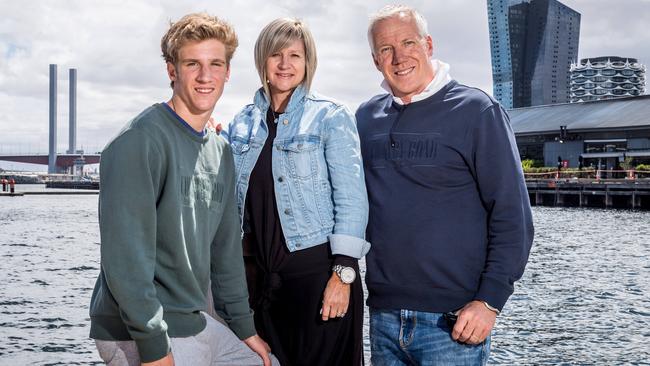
{"x":115,"y":47}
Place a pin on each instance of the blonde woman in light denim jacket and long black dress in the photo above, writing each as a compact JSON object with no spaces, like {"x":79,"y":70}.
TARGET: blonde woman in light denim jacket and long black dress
{"x":303,"y":206}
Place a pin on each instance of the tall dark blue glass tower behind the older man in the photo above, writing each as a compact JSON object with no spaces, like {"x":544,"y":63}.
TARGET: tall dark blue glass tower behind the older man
{"x":533,"y":44}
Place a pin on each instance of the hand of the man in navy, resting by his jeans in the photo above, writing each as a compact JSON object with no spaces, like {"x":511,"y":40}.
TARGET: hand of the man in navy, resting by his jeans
{"x":474,"y":324}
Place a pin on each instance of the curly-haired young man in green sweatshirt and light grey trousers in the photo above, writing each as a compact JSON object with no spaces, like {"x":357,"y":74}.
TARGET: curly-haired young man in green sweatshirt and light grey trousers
{"x":169,"y":224}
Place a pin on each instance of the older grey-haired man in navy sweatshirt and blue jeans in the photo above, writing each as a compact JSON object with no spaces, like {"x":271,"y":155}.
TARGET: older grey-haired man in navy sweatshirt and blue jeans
{"x":450,"y":220}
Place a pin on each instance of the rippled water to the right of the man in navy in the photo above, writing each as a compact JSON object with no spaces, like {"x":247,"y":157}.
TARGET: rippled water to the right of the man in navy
{"x":585,"y":292}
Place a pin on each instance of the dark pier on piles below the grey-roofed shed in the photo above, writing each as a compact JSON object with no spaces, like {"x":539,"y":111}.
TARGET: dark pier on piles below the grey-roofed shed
{"x":614,"y":193}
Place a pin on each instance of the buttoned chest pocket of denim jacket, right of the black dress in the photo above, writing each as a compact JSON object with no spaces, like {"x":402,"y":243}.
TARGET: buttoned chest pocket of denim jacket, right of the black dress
{"x":300,"y":154}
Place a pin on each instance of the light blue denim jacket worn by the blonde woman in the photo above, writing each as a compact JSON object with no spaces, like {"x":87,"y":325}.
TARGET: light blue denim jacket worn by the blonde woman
{"x":317,"y":170}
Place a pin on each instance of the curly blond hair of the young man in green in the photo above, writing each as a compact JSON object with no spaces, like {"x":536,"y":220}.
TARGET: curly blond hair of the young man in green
{"x":197,"y":27}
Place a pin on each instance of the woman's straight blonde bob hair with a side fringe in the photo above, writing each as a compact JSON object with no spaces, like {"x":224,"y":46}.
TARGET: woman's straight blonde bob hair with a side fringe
{"x":278,"y":35}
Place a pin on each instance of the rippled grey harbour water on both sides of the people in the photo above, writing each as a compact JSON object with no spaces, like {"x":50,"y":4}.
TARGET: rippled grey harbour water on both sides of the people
{"x":584,"y":299}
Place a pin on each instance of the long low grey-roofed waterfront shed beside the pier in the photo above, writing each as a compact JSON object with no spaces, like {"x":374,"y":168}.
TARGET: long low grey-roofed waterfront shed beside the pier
{"x":601,"y":133}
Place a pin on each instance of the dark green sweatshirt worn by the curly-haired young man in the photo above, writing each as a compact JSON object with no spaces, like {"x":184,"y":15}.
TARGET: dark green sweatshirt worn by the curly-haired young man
{"x":169,"y":224}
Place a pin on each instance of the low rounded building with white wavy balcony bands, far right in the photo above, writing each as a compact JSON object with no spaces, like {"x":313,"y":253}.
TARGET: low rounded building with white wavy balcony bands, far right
{"x":606,"y":77}
